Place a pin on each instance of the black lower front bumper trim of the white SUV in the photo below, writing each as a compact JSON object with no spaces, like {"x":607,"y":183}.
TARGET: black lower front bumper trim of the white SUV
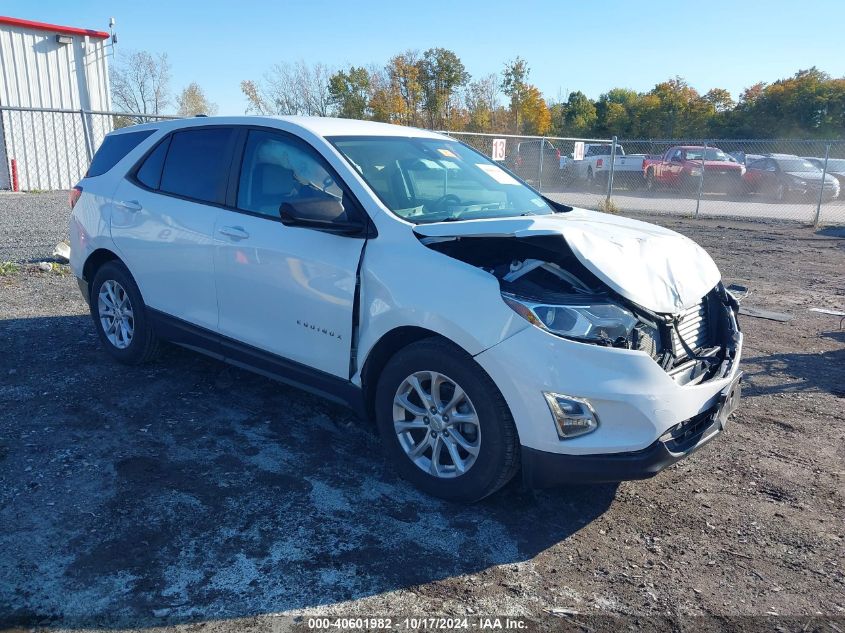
{"x":541,"y":469}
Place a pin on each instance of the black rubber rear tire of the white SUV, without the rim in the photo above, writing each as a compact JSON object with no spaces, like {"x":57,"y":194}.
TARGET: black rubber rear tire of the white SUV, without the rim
{"x":137,"y":349}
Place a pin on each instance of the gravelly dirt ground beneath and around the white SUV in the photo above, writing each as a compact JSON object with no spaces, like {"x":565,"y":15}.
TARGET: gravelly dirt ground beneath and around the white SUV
{"x":188,"y":493}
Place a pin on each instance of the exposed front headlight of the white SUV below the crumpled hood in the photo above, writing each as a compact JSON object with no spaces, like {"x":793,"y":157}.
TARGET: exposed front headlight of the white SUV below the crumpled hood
{"x":600,"y":321}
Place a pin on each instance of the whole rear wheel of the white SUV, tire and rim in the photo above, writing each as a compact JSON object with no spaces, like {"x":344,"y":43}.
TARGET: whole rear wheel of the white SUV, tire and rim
{"x":136,"y":343}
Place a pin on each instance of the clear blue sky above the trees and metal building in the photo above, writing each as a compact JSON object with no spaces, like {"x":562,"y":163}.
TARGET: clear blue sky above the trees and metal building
{"x":587,"y":46}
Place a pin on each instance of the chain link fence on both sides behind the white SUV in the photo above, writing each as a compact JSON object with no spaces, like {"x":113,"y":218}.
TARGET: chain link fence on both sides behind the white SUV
{"x":44,"y":149}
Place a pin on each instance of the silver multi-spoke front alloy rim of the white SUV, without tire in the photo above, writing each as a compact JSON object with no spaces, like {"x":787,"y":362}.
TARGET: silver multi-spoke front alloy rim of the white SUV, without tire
{"x":436,"y":424}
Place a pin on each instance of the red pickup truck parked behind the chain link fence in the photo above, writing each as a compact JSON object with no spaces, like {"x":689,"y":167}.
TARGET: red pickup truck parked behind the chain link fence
{"x":683,"y":166}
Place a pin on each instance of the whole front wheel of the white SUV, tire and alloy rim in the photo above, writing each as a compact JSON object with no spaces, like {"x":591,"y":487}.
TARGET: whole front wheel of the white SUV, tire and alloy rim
{"x":493,"y":436}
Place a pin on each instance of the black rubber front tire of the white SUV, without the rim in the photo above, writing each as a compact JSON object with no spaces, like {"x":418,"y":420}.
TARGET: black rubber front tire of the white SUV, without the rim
{"x":488,"y":473}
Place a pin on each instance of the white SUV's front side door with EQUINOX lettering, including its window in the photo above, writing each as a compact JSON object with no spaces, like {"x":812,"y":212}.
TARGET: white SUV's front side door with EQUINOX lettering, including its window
{"x":282,"y":289}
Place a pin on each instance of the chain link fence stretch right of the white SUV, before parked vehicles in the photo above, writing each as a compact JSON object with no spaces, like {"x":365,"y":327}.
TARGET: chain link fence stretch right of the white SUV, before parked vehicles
{"x":792,"y":180}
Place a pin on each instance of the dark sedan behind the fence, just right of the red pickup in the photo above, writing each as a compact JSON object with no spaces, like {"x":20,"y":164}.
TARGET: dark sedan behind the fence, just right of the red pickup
{"x":785,"y":176}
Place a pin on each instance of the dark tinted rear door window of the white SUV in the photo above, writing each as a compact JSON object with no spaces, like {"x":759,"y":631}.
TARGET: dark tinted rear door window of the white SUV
{"x":197,"y":163}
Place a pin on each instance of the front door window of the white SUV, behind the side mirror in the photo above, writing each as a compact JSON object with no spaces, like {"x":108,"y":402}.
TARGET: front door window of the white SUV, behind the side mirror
{"x":278,"y":171}
